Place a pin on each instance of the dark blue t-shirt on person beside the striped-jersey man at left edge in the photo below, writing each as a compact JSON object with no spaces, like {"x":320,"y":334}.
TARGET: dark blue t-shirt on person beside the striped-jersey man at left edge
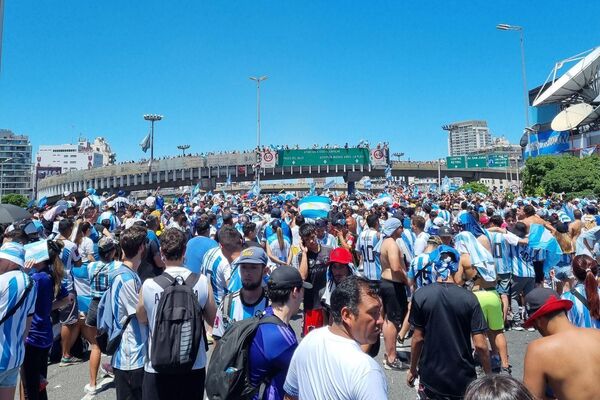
{"x":40,"y":333}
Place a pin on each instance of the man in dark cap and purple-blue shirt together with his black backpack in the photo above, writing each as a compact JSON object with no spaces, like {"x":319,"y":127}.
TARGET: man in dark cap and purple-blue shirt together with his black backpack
{"x":257,"y":351}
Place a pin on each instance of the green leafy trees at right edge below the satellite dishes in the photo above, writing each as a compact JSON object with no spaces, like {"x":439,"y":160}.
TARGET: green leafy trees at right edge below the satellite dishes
{"x":546,"y":175}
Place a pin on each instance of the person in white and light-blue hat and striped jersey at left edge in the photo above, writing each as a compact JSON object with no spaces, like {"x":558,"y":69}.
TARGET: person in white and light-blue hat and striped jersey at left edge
{"x":17,"y":306}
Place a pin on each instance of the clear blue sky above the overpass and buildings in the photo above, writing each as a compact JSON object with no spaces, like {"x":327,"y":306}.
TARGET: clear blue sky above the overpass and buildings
{"x":338,"y":70}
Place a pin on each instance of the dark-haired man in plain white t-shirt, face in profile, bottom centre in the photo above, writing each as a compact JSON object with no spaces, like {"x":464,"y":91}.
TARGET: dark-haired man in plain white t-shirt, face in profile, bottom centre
{"x":329,"y":363}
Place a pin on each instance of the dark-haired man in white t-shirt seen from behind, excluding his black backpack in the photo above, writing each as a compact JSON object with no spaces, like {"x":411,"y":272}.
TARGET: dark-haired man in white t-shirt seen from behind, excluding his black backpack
{"x":189,"y":385}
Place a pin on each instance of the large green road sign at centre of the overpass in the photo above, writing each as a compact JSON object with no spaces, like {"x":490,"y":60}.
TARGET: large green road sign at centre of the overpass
{"x":351,"y":156}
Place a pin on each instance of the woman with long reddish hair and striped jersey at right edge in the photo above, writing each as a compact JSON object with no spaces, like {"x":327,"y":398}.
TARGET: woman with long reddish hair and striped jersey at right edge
{"x":585,"y":295}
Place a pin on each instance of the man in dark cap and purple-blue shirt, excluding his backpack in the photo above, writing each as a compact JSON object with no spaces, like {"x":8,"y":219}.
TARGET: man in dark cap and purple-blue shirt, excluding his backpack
{"x":273,"y":345}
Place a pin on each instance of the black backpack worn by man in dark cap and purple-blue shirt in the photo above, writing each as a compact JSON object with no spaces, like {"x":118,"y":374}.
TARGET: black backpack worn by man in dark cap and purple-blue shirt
{"x":227,"y":374}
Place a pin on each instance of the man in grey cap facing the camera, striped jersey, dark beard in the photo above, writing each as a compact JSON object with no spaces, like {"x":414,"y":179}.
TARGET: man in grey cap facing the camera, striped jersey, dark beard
{"x":250,"y":300}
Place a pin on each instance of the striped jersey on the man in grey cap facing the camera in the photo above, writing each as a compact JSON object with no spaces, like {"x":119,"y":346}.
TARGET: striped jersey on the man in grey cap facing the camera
{"x":238,"y":311}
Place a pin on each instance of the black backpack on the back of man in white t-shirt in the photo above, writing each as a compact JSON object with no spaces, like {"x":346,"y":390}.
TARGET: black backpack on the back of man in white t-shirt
{"x":178,"y":325}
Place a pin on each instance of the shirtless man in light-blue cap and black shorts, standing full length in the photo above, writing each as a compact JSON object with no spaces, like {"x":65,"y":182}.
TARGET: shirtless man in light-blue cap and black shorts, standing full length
{"x":392,"y":290}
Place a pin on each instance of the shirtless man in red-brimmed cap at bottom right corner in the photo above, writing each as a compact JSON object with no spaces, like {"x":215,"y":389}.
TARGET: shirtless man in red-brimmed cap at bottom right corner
{"x":565,"y":363}
